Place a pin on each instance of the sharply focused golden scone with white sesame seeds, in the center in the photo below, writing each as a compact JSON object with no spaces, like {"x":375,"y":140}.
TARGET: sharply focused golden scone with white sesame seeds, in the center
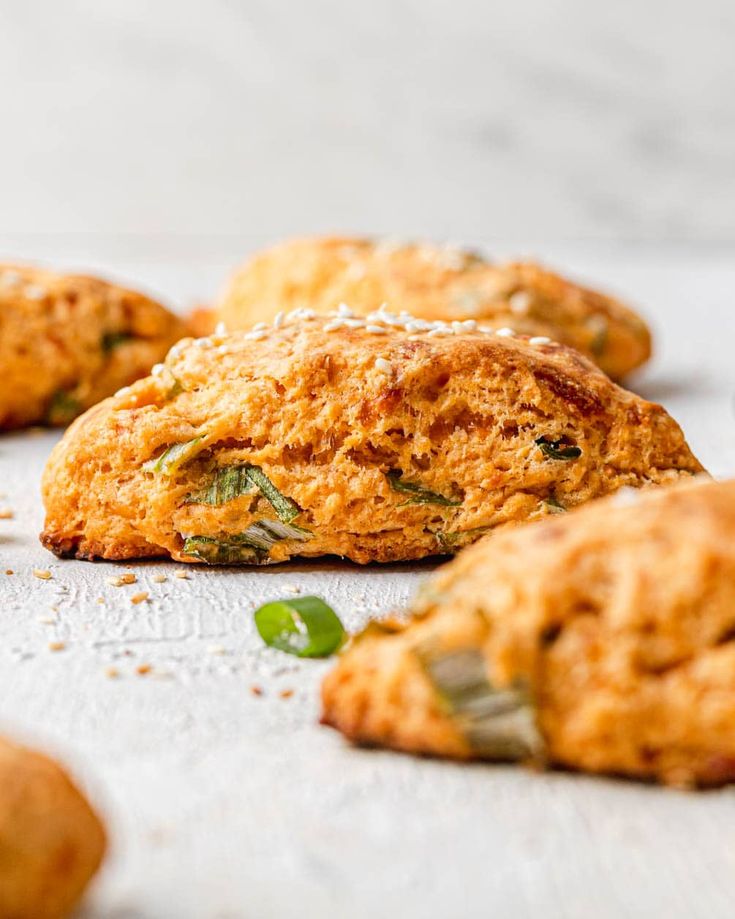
{"x":378,"y":439}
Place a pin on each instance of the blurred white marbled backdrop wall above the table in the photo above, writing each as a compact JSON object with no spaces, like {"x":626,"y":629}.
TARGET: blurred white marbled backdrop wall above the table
{"x":523,"y":122}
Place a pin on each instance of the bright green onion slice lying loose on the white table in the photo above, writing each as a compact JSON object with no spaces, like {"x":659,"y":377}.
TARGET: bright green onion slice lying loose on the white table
{"x":306,"y":627}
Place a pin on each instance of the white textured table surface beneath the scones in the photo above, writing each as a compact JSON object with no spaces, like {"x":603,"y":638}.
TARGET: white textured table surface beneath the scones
{"x":224,"y":804}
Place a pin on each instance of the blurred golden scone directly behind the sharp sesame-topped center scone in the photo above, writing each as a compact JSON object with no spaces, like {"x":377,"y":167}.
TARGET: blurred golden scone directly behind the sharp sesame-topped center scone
{"x":436,"y":282}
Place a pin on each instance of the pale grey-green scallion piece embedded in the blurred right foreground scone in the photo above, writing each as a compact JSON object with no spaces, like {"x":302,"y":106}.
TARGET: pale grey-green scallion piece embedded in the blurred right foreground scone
{"x":498,"y":723}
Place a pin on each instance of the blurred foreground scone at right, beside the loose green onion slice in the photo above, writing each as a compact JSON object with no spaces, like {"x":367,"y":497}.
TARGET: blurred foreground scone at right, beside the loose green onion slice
{"x":601,"y":641}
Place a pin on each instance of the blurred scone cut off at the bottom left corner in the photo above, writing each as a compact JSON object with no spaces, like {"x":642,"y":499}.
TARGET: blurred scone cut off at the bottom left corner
{"x":51,"y":841}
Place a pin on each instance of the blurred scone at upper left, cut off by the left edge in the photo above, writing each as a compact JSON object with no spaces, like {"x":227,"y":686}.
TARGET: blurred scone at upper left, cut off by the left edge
{"x":68,"y":341}
